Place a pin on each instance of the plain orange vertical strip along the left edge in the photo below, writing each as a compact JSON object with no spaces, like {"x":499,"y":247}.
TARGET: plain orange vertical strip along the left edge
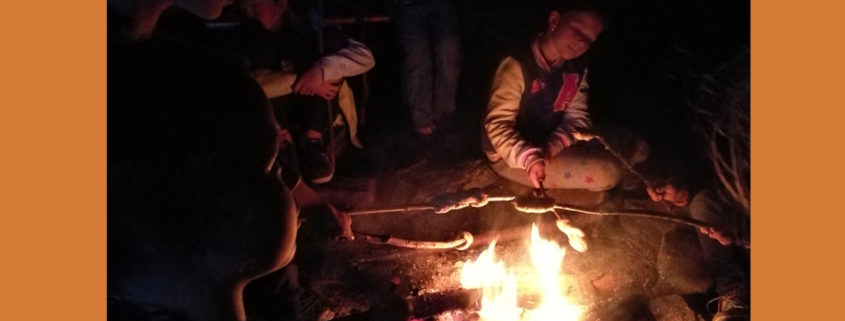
{"x":53,"y":164}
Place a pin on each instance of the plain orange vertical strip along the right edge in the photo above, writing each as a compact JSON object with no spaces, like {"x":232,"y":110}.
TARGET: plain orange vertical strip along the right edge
{"x":796,"y":142}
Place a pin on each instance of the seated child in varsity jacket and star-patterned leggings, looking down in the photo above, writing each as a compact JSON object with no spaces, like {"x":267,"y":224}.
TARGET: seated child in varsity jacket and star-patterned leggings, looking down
{"x":537,"y":112}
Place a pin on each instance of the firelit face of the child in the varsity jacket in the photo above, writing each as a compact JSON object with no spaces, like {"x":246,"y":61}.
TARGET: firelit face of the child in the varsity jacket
{"x":573,"y":32}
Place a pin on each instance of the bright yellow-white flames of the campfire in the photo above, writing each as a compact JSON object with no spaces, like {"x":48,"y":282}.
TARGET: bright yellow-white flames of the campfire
{"x":502,"y":288}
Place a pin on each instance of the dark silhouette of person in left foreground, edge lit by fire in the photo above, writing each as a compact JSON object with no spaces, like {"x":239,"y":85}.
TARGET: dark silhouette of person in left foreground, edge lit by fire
{"x":196,"y":209}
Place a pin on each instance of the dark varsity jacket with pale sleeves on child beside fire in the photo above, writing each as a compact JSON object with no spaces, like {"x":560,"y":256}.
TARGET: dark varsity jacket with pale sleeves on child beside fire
{"x":534,"y":108}
